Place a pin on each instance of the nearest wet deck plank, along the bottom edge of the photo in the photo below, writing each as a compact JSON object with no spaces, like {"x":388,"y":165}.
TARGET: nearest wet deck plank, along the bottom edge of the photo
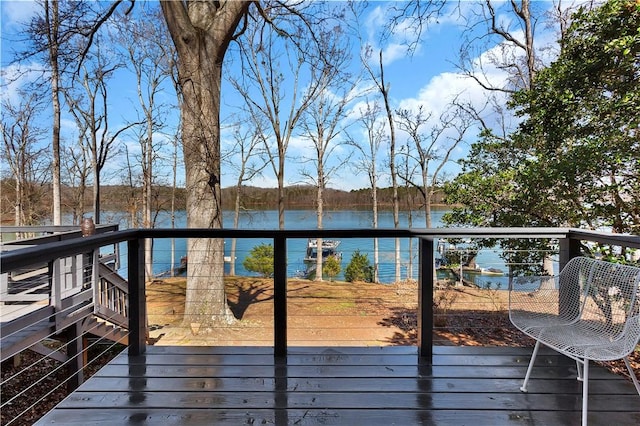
{"x":384,"y":417}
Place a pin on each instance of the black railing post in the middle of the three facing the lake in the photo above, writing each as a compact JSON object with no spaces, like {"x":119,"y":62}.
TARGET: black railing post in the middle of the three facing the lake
{"x":280,"y":296}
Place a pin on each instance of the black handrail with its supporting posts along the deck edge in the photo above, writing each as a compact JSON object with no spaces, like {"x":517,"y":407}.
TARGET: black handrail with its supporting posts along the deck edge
{"x":569,"y":247}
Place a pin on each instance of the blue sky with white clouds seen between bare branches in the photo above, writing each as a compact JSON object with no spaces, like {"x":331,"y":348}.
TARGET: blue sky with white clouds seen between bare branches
{"x":428,"y":78}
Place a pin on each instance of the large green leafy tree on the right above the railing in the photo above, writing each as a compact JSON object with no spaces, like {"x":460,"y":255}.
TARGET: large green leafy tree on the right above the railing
{"x":575,"y":158}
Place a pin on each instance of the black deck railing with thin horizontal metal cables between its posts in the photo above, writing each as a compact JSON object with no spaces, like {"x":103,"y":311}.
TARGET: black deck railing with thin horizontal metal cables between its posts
{"x":424,"y":307}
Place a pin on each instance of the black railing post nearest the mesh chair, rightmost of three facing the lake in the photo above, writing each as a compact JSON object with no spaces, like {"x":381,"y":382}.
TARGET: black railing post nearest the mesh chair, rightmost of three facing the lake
{"x":426,"y":273}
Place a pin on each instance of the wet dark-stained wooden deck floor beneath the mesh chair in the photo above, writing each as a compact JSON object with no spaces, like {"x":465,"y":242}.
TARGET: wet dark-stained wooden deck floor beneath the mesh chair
{"x":173,"y":385}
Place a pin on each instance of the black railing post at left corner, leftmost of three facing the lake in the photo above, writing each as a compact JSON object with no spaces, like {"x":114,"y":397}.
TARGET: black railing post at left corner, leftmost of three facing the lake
{"x":137,"y":298}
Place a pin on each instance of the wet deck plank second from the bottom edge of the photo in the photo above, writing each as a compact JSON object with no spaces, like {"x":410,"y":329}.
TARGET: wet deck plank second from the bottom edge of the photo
{"x":380,"y":399}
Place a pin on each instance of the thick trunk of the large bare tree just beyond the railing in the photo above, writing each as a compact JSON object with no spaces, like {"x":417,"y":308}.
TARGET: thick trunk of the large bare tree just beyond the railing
{"x":201,"y":32}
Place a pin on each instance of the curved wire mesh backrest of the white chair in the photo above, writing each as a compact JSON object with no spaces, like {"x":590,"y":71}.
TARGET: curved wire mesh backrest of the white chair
{"x":608,"y":297}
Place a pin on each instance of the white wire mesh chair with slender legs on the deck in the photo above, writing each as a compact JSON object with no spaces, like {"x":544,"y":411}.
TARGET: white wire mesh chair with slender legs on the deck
{"x":589,"y":312}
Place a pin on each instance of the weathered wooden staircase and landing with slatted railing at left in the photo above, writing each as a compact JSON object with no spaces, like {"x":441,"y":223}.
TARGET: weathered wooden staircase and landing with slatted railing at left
{"x":75,"y":296}
